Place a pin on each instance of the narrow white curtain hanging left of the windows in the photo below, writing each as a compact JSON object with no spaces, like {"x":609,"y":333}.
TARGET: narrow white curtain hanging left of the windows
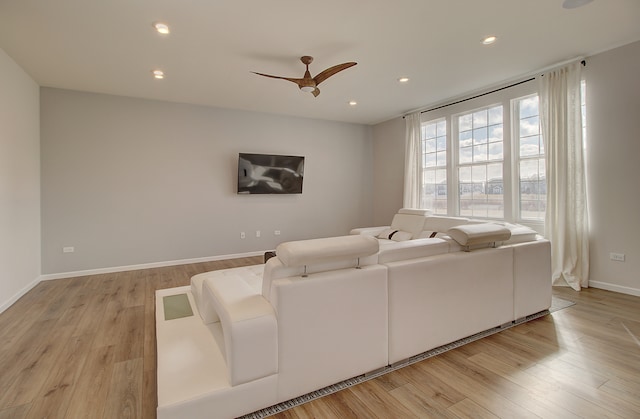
{"x":412,"y":162}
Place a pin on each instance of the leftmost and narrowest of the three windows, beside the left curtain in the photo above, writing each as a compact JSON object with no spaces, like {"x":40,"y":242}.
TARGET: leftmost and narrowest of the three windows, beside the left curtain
{"x":434,"y":166}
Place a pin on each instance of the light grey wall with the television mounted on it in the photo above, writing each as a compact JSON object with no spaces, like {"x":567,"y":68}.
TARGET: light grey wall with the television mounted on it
{"x":129,"y":181}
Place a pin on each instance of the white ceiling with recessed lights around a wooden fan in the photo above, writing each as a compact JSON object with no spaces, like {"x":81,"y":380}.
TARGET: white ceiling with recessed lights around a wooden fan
{"x":109,"y":46}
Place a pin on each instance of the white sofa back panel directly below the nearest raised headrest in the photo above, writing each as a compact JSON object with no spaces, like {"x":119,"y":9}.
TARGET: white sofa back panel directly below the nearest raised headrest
{"x":331,"y":326}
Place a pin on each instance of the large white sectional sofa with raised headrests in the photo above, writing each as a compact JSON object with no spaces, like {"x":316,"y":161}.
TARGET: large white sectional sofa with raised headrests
{"x":326,"y":310}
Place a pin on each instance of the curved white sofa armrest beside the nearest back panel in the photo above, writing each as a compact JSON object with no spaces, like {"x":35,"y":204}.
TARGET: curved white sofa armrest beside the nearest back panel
{"x":249,"y":326}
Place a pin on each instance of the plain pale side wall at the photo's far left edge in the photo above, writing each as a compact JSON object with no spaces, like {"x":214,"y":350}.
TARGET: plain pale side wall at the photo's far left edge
{"x":19,"y":182}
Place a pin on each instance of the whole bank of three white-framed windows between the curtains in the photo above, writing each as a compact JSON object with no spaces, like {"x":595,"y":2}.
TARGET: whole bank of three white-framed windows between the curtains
{"x":484,"y":158}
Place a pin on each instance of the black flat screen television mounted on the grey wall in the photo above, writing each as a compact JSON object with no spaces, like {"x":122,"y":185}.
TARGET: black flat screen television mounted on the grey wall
{"x":270,"y":174}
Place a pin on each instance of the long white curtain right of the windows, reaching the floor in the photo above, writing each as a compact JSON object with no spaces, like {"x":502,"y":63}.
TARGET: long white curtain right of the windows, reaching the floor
{"x":566,"y":221}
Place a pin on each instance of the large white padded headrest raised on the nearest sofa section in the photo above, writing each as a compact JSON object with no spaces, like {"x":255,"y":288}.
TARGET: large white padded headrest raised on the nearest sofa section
{"x":329,"y":249}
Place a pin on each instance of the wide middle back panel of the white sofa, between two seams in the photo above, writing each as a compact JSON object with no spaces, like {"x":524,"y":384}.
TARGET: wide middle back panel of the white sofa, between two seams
{"x":439,"y":299}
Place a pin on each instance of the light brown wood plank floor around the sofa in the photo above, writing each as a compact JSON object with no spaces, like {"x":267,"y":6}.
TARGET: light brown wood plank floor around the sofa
{"x":85,"y":348}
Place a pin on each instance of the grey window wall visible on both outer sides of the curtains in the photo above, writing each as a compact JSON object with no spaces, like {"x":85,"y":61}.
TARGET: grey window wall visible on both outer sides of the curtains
{"x":613,"y":142}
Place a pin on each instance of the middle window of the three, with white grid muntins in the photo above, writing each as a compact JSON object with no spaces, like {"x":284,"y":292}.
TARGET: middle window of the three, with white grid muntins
{"x":480,"y":163}
